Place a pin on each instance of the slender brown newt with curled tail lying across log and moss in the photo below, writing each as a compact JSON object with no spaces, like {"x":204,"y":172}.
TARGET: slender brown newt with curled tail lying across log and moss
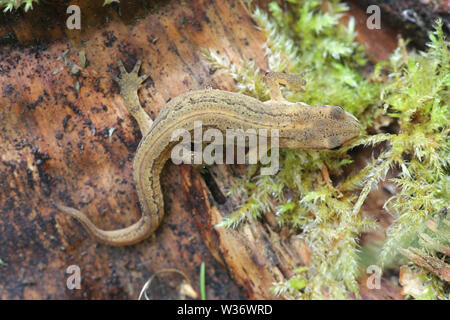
{"x":300,"y":127}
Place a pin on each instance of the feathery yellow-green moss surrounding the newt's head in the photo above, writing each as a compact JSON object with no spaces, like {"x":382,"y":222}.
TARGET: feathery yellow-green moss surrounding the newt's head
{"x":413,"y":91}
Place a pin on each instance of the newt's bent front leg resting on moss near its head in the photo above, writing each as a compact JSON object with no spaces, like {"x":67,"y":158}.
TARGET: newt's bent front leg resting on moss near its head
{"x":274,"y":79}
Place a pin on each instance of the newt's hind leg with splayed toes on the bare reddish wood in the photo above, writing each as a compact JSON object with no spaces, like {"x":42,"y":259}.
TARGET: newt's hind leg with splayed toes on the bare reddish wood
{"x":129,"y":83}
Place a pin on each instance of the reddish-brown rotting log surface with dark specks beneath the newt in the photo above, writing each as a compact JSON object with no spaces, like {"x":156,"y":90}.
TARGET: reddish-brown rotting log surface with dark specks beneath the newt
{"x":77,"y":147}
